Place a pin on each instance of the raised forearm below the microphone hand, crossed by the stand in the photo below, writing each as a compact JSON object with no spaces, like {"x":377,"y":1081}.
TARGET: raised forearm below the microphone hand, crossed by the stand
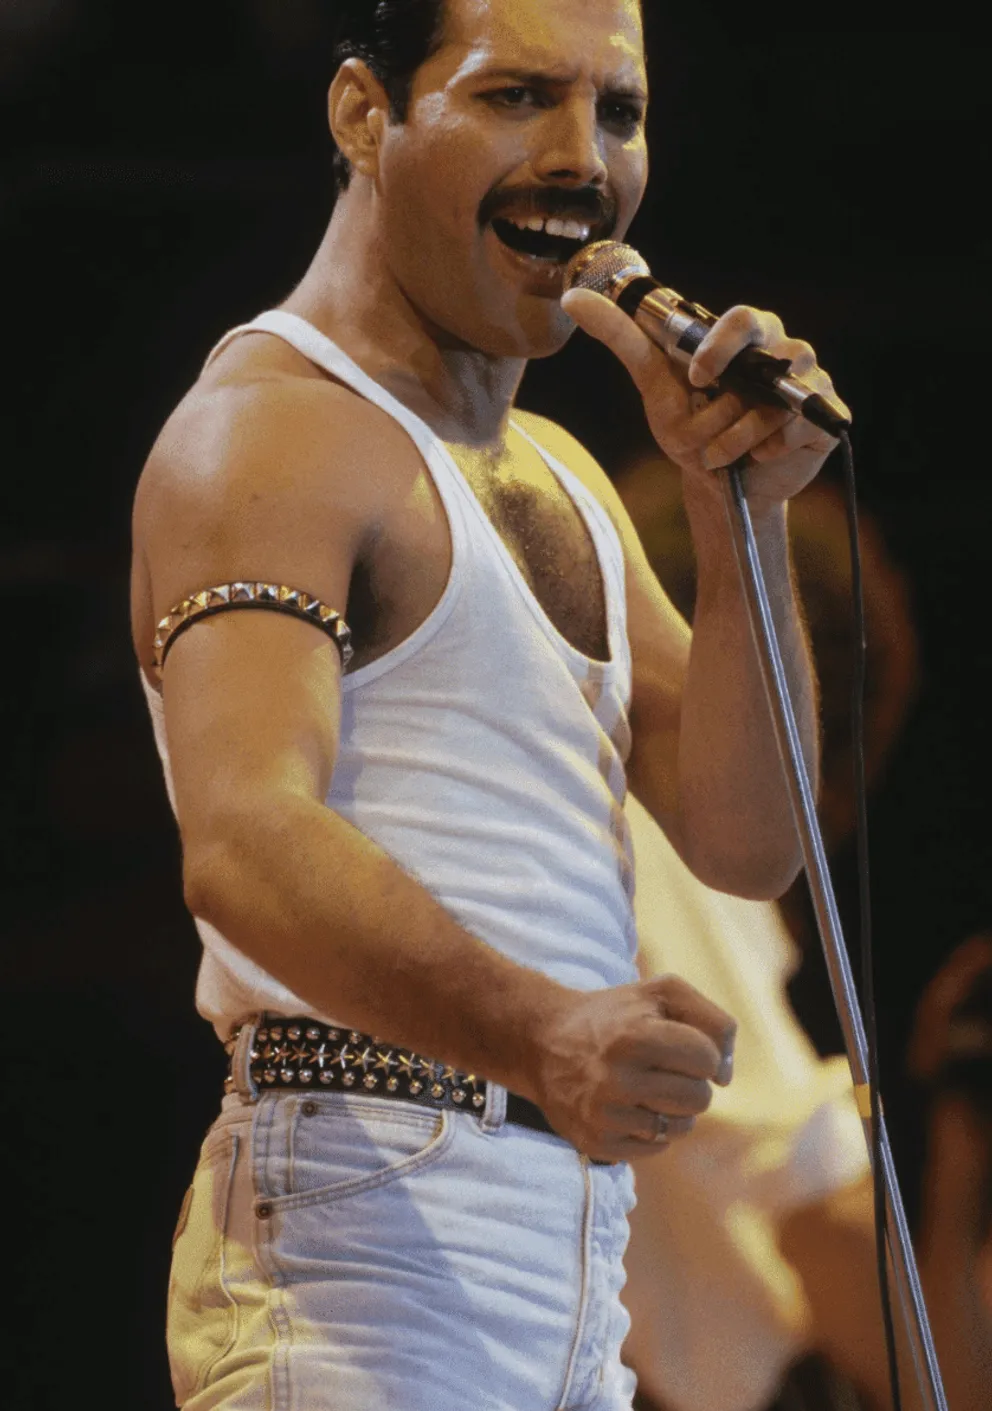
{"x":734,"y":799}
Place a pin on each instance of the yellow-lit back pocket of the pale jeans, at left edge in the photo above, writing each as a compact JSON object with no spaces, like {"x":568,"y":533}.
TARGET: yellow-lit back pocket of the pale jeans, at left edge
{"x":202,"y":1317}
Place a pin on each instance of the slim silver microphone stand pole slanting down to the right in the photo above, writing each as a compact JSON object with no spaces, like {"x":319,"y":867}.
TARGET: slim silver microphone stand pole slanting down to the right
{"x":842,"y":981}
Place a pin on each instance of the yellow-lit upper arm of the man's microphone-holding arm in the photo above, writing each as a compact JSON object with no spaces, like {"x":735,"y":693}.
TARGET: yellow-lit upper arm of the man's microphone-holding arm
{"x":658,"y":636}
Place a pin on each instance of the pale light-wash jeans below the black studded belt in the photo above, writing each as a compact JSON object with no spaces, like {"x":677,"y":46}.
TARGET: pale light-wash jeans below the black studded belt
{"x":339,"y":1252}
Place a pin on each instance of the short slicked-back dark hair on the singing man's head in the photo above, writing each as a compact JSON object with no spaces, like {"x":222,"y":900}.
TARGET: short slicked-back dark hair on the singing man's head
{"x":394,"y":39}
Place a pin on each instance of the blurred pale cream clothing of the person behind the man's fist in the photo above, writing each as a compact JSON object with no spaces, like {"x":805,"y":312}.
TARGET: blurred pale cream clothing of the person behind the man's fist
{"x":719,"y":1313}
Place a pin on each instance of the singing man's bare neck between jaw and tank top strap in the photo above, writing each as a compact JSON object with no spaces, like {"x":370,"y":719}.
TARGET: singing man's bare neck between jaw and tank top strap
{"x":462,"y":394}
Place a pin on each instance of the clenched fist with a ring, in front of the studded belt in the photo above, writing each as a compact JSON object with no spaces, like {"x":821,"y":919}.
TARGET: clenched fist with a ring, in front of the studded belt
{"x":612,"y":1062}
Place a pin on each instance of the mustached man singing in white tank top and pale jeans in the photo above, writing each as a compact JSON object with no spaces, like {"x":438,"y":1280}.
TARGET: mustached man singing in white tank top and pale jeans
{"x":404,"y":657}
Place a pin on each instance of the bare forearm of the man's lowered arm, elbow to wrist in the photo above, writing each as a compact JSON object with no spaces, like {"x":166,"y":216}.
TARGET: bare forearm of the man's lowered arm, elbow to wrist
{"x":335,"y":919}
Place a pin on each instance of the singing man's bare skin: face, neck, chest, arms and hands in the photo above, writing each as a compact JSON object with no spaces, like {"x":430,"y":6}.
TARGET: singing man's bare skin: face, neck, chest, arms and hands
{"x":270,"y":469}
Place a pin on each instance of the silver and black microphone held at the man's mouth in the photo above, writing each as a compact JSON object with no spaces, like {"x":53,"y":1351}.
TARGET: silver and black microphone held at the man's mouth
{"x":678,"y":327}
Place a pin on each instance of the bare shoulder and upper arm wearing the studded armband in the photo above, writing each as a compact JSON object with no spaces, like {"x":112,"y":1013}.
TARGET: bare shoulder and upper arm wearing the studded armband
{"x":250,"y":483}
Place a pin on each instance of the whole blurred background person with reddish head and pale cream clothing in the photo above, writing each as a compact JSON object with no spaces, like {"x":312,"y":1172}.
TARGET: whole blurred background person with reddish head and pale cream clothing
{"x":740,"y":1234}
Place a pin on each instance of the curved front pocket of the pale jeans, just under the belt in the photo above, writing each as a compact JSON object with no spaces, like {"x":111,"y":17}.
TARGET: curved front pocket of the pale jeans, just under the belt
{"x":335,"y":1146}
